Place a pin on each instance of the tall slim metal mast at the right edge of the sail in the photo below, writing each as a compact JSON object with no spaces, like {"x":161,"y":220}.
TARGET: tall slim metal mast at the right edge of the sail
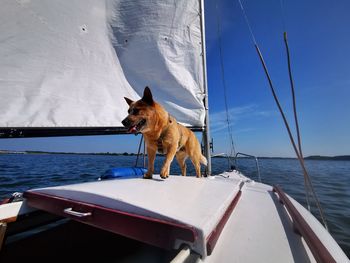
{"x":206,"y":132}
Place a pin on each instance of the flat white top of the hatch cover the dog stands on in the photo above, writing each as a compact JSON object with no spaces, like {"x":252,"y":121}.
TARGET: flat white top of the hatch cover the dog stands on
{"x":199,"y":203}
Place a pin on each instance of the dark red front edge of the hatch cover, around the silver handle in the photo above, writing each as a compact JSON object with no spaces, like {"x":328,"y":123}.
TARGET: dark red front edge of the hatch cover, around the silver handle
{"x":149,"y":230}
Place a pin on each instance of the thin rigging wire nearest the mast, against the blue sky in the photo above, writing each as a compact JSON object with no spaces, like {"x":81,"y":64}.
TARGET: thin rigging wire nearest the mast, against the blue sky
{"x":233,"y":150}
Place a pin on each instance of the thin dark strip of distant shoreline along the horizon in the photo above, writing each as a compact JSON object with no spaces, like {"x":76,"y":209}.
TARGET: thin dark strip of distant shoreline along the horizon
{"x":312,"y":157}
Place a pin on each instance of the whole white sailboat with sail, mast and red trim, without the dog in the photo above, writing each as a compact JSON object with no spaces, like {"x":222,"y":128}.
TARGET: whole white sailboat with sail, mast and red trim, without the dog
{"x":66,"y":67}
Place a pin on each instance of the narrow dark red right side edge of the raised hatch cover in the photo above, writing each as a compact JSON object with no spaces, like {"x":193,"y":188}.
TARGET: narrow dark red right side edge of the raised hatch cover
{"x":214,"y":235}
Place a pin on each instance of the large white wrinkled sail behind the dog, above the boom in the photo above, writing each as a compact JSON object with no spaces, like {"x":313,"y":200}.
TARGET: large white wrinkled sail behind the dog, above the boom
{"x":70,"y":63}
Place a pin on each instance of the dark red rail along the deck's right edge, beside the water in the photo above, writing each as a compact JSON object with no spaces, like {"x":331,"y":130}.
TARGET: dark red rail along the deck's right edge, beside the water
{"x":319,"y":251}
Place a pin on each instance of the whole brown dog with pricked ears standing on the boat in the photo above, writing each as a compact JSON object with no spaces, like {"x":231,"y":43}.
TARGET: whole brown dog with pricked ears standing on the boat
{"x":163,"y":134}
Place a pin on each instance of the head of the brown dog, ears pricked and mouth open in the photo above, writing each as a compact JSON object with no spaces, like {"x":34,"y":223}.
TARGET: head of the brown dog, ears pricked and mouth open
{"x":140,"y":113}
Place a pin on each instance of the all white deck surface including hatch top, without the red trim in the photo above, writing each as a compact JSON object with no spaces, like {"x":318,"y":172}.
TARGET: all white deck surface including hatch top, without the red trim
{"x":258,"y":230}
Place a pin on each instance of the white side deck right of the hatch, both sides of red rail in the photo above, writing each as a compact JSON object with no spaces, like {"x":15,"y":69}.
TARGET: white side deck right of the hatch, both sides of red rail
{"x":261,"y":230}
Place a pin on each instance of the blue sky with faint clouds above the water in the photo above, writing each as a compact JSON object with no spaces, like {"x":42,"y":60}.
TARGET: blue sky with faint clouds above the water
{"x":319,"y":39}
